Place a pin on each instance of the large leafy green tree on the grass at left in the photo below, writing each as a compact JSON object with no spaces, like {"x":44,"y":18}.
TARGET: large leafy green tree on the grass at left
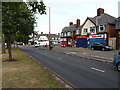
{"x":18,"y":20}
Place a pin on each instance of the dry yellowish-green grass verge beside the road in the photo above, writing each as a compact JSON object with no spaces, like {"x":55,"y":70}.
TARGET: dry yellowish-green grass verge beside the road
{"x":24,"y":72}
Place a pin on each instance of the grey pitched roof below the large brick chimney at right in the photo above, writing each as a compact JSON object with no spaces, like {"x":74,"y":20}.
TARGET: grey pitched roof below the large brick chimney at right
{"x":103,"y":19}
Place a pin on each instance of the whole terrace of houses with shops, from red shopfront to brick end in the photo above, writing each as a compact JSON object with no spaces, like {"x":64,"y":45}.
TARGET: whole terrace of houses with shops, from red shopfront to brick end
{"x":100,"y":28}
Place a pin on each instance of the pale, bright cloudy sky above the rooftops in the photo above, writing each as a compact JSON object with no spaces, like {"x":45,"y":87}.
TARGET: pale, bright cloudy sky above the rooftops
{"x":64,"y":11}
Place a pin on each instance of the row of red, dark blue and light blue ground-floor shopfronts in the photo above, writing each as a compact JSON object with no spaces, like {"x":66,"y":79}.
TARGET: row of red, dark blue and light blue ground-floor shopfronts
{"x":85,"y":41}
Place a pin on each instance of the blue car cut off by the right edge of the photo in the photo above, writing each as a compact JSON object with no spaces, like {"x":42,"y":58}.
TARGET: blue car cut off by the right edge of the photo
{"x":116,"y":61}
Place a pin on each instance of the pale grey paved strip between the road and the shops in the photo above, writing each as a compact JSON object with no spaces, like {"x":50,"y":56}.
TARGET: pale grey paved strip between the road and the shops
{"x":104,"y":56}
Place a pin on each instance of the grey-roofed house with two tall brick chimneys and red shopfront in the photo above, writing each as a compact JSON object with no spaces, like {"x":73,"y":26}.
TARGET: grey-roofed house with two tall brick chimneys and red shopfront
{"x":68,"y":34}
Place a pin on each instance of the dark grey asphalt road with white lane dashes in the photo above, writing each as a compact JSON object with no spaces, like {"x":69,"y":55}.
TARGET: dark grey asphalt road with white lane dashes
{"x":79,"y":72}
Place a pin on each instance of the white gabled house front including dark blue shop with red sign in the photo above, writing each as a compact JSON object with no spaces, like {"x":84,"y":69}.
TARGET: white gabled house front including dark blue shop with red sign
{"x":88,"y":27}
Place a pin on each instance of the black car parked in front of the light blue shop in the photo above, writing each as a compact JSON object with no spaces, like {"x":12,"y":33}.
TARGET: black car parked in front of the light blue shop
{"x":100,"y":46}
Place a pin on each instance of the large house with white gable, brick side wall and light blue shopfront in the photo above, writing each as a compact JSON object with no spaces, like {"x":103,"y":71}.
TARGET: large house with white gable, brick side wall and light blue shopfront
{"x":100,"y":28}
